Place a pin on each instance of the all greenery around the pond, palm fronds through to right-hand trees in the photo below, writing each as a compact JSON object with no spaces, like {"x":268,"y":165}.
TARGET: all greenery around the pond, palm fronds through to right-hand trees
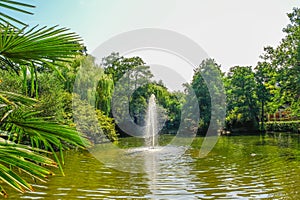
{"x":40,"y":67}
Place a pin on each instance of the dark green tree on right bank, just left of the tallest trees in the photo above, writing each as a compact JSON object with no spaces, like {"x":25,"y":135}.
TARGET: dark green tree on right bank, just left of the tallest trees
{"x":242,"y":107}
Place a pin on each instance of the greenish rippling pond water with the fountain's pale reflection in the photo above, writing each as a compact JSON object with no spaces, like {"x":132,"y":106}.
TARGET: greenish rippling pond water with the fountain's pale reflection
{"x":239,"y":167}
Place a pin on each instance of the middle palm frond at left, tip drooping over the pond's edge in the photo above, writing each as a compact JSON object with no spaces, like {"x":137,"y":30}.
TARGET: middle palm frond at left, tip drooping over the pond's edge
{"x":22,"y":125}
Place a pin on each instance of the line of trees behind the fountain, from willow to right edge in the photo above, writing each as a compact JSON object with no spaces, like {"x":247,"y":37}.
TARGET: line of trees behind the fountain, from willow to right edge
{"x":251,"y":92}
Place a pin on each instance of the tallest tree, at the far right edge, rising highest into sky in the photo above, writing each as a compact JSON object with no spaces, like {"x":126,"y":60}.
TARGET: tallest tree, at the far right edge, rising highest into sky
{"x":285,"y":59}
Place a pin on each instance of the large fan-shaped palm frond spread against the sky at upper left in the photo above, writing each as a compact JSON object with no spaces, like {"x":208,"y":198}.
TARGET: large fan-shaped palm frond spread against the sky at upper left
{"x":45,"y":47}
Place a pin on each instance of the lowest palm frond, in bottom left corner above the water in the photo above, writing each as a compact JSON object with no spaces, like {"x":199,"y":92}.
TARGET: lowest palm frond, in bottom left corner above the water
{"x":25,"y":159}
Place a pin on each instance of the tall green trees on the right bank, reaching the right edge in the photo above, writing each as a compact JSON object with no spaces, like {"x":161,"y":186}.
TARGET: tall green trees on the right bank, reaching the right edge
{"x":273,"y":84}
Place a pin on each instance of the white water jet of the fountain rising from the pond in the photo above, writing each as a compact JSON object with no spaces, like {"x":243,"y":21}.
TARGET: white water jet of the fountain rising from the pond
{"x":151,"y":132}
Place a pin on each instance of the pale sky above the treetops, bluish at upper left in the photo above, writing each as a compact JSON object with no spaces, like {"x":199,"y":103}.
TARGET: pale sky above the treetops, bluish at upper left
{"x":233,"y":32}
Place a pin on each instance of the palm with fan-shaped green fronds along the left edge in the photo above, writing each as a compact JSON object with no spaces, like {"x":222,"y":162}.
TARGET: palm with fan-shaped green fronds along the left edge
{"x":25,"y":139}
